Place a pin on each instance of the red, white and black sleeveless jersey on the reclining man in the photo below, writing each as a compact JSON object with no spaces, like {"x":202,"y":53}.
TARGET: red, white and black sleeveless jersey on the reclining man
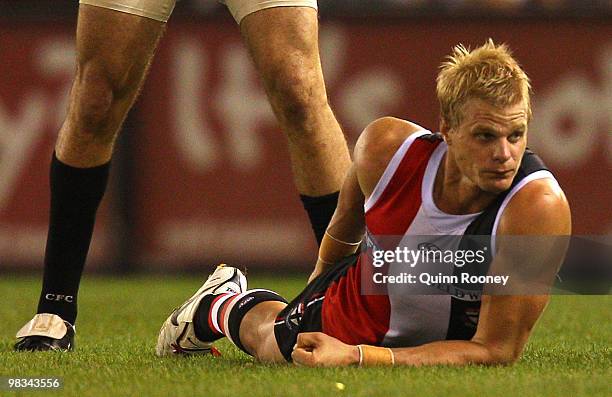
{"x":402,"y":205}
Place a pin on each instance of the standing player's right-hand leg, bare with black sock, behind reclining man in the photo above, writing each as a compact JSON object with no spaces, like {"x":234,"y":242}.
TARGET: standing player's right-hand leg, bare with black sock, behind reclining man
{"x":283,"y":42}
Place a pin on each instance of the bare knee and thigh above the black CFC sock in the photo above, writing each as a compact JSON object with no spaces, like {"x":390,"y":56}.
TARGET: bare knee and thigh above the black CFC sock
{"x":114,"y":52}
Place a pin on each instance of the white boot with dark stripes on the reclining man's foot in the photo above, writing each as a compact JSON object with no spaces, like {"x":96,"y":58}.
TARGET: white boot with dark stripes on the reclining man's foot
{"x":177,"y":334}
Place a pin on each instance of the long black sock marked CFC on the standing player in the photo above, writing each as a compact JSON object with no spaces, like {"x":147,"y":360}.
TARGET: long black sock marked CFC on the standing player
{"x":75,"y":196}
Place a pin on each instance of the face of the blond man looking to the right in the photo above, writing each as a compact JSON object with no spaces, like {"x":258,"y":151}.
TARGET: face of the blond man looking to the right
{"x":489,"y":143}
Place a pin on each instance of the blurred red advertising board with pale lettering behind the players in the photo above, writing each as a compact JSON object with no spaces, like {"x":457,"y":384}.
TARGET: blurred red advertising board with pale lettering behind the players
{"x":203,"y":171}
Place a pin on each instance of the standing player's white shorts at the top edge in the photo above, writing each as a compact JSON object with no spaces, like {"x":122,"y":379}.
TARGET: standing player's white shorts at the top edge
{"x":160,"y":10}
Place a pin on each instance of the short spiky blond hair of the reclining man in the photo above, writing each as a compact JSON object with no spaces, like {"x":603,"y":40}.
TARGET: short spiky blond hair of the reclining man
{"x":488,"y":72}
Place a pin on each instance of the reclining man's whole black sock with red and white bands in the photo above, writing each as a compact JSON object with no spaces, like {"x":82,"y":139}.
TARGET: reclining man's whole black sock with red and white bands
{"x":231,"y":309}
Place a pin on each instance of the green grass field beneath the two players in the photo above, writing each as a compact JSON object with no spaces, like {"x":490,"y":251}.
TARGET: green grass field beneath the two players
{"x":568,"y":355}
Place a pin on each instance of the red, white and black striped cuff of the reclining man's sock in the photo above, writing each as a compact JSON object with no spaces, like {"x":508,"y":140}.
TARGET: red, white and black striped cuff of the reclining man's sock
{"x":238,"y":306}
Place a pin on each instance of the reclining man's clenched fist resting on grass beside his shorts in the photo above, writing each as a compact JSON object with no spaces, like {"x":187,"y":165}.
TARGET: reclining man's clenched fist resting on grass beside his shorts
{"x":316,"y":349}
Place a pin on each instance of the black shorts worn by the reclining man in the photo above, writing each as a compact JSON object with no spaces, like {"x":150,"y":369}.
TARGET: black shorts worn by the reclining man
{"x":303,"y":314}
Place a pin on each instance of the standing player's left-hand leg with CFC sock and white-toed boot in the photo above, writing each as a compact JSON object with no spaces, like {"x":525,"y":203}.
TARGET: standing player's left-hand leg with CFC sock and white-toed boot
{"x":114,"y":50}
